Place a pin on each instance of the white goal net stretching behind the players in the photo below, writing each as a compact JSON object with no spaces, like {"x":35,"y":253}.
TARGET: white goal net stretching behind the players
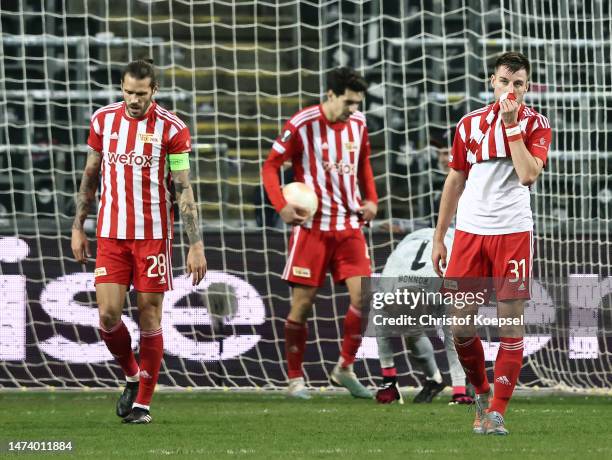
{"x":235,"y":71}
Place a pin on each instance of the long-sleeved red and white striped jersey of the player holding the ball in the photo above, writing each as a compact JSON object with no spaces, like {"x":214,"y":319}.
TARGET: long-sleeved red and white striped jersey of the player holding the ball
{"x":332,"y":158}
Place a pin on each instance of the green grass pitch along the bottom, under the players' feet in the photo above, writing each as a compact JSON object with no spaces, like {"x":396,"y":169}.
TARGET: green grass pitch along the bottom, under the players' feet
{"x":267,"y":425}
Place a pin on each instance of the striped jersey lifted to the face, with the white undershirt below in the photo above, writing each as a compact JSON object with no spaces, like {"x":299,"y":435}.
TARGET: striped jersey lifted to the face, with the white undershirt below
{"x":494,"y":202}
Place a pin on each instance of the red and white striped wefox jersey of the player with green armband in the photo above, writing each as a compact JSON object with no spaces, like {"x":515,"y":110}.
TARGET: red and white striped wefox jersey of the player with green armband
{"x":135,"y":198}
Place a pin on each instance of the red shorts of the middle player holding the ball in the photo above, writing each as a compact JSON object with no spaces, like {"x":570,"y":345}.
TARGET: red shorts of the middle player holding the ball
{"x":345,"y":252}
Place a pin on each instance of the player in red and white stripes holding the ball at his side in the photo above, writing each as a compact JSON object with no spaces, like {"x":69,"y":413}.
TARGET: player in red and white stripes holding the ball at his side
{"x":329,"y":148}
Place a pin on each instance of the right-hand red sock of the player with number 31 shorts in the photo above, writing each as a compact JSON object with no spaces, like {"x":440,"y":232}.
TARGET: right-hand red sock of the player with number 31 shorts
{"x":507,"y":369}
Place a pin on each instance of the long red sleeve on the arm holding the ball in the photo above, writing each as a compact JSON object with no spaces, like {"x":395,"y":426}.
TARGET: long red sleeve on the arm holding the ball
{"x":282,"y":150}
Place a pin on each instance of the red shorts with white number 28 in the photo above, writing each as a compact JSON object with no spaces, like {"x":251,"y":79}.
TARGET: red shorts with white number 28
{"x":145,"y":263}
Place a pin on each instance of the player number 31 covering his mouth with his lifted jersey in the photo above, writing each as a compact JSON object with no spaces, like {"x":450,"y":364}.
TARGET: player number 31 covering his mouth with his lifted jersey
{"x":498,"y":153}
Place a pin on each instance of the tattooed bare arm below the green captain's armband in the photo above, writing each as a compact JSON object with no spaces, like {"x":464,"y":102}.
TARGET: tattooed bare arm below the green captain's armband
{"x":196,"y":262}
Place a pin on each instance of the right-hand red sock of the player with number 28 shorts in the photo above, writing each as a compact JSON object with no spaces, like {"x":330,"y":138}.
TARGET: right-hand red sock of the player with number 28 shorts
{"x":151,"y":354}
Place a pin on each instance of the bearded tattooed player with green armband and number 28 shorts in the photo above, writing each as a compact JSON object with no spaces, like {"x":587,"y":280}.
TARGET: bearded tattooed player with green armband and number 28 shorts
{"x":136,"y":148}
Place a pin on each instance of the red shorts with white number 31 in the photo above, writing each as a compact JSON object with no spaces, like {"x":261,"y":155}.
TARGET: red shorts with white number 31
{"x":507,"y":259}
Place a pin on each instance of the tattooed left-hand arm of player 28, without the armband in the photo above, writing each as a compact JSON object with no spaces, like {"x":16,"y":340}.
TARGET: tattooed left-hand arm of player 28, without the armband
{"x":85,"y":197}
